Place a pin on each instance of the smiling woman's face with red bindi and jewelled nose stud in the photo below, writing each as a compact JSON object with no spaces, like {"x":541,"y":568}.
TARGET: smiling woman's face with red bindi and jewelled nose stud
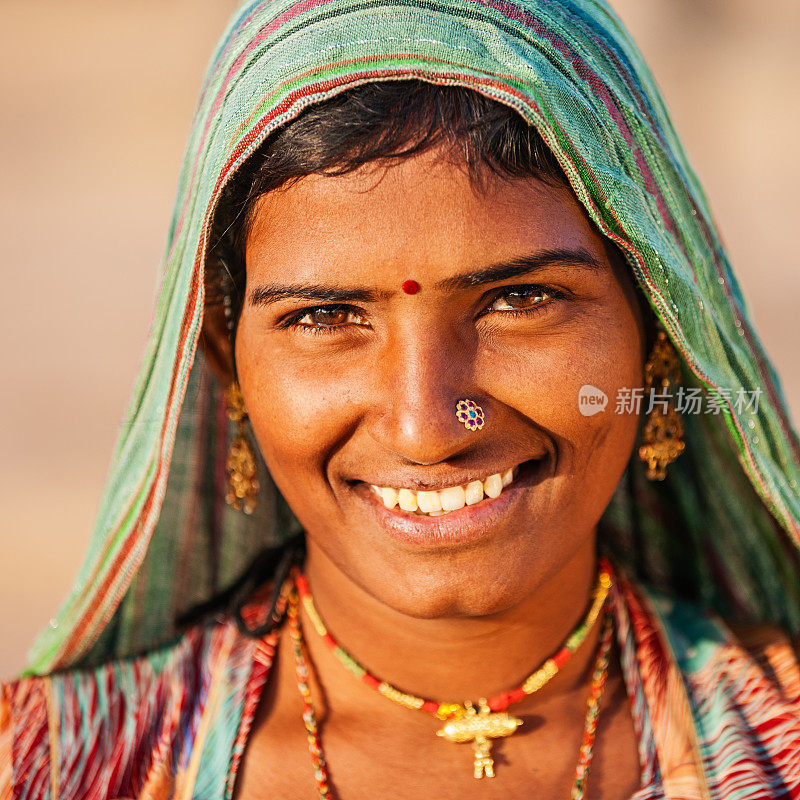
{"x":352,"y":383}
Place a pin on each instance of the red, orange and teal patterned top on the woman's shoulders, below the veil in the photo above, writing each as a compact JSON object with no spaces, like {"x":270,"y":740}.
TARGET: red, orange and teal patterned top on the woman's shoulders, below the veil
{"x":173,"y":723}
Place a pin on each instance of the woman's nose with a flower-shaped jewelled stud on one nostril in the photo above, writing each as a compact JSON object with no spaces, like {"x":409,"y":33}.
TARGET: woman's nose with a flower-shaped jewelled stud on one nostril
{"x":422,"y":376}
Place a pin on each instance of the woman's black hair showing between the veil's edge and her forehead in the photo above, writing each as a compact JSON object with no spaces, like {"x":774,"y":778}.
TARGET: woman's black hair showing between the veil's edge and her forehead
{"x":380,"y":122}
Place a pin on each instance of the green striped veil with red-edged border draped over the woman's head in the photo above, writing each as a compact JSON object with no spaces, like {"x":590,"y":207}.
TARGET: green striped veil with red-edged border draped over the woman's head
{"x":723,"y":528}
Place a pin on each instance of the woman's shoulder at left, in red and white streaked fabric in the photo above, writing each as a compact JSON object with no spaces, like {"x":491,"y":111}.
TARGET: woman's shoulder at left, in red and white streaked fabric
{"x":61,"y":732}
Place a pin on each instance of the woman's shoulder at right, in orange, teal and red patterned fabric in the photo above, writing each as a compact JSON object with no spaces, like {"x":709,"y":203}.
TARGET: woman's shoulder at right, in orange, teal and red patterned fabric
{"x":732,"y":689}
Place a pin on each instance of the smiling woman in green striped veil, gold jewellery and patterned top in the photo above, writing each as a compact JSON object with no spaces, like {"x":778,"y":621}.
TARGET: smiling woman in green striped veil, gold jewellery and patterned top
{"x":432,"y":255}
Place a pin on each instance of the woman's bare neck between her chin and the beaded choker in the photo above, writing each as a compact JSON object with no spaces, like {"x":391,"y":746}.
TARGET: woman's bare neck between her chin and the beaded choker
{"x":453,"y":659}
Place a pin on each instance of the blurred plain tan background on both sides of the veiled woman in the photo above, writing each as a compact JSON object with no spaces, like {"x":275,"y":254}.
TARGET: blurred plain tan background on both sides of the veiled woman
{"x":96,"y":101}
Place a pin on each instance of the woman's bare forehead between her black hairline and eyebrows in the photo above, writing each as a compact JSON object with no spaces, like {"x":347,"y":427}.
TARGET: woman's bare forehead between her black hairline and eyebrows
{"x":424,"y":214}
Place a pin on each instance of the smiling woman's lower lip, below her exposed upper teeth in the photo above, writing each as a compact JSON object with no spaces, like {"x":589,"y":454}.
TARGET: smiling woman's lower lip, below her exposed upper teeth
{"x":468,"y":524}
